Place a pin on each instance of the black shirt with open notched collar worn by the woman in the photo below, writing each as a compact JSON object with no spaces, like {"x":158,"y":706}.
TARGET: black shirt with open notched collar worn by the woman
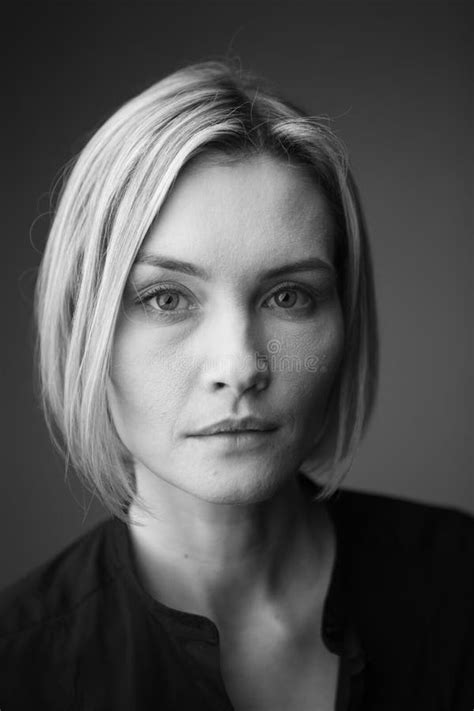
{"x":81,"y":633}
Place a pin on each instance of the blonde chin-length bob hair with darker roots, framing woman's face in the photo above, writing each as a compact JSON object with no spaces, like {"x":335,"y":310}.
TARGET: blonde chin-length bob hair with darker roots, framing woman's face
{"x":108,"y":201}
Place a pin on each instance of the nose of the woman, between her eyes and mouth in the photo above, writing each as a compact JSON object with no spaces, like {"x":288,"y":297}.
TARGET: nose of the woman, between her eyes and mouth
{"x":234,"y":358}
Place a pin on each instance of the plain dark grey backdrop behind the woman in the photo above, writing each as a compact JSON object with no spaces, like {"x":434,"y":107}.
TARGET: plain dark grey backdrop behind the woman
{"x":397,"y":80}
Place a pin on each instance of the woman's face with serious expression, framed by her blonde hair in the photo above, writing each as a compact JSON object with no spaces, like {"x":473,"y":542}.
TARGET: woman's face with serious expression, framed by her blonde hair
{"x":225,"y":337}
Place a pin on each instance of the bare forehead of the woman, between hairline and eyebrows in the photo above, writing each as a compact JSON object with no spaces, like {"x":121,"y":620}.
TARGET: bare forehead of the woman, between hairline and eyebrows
{"x":257,"y":210}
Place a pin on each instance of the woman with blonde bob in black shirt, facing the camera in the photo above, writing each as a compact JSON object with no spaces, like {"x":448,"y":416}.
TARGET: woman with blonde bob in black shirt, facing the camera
{"x":207,"y":349}
